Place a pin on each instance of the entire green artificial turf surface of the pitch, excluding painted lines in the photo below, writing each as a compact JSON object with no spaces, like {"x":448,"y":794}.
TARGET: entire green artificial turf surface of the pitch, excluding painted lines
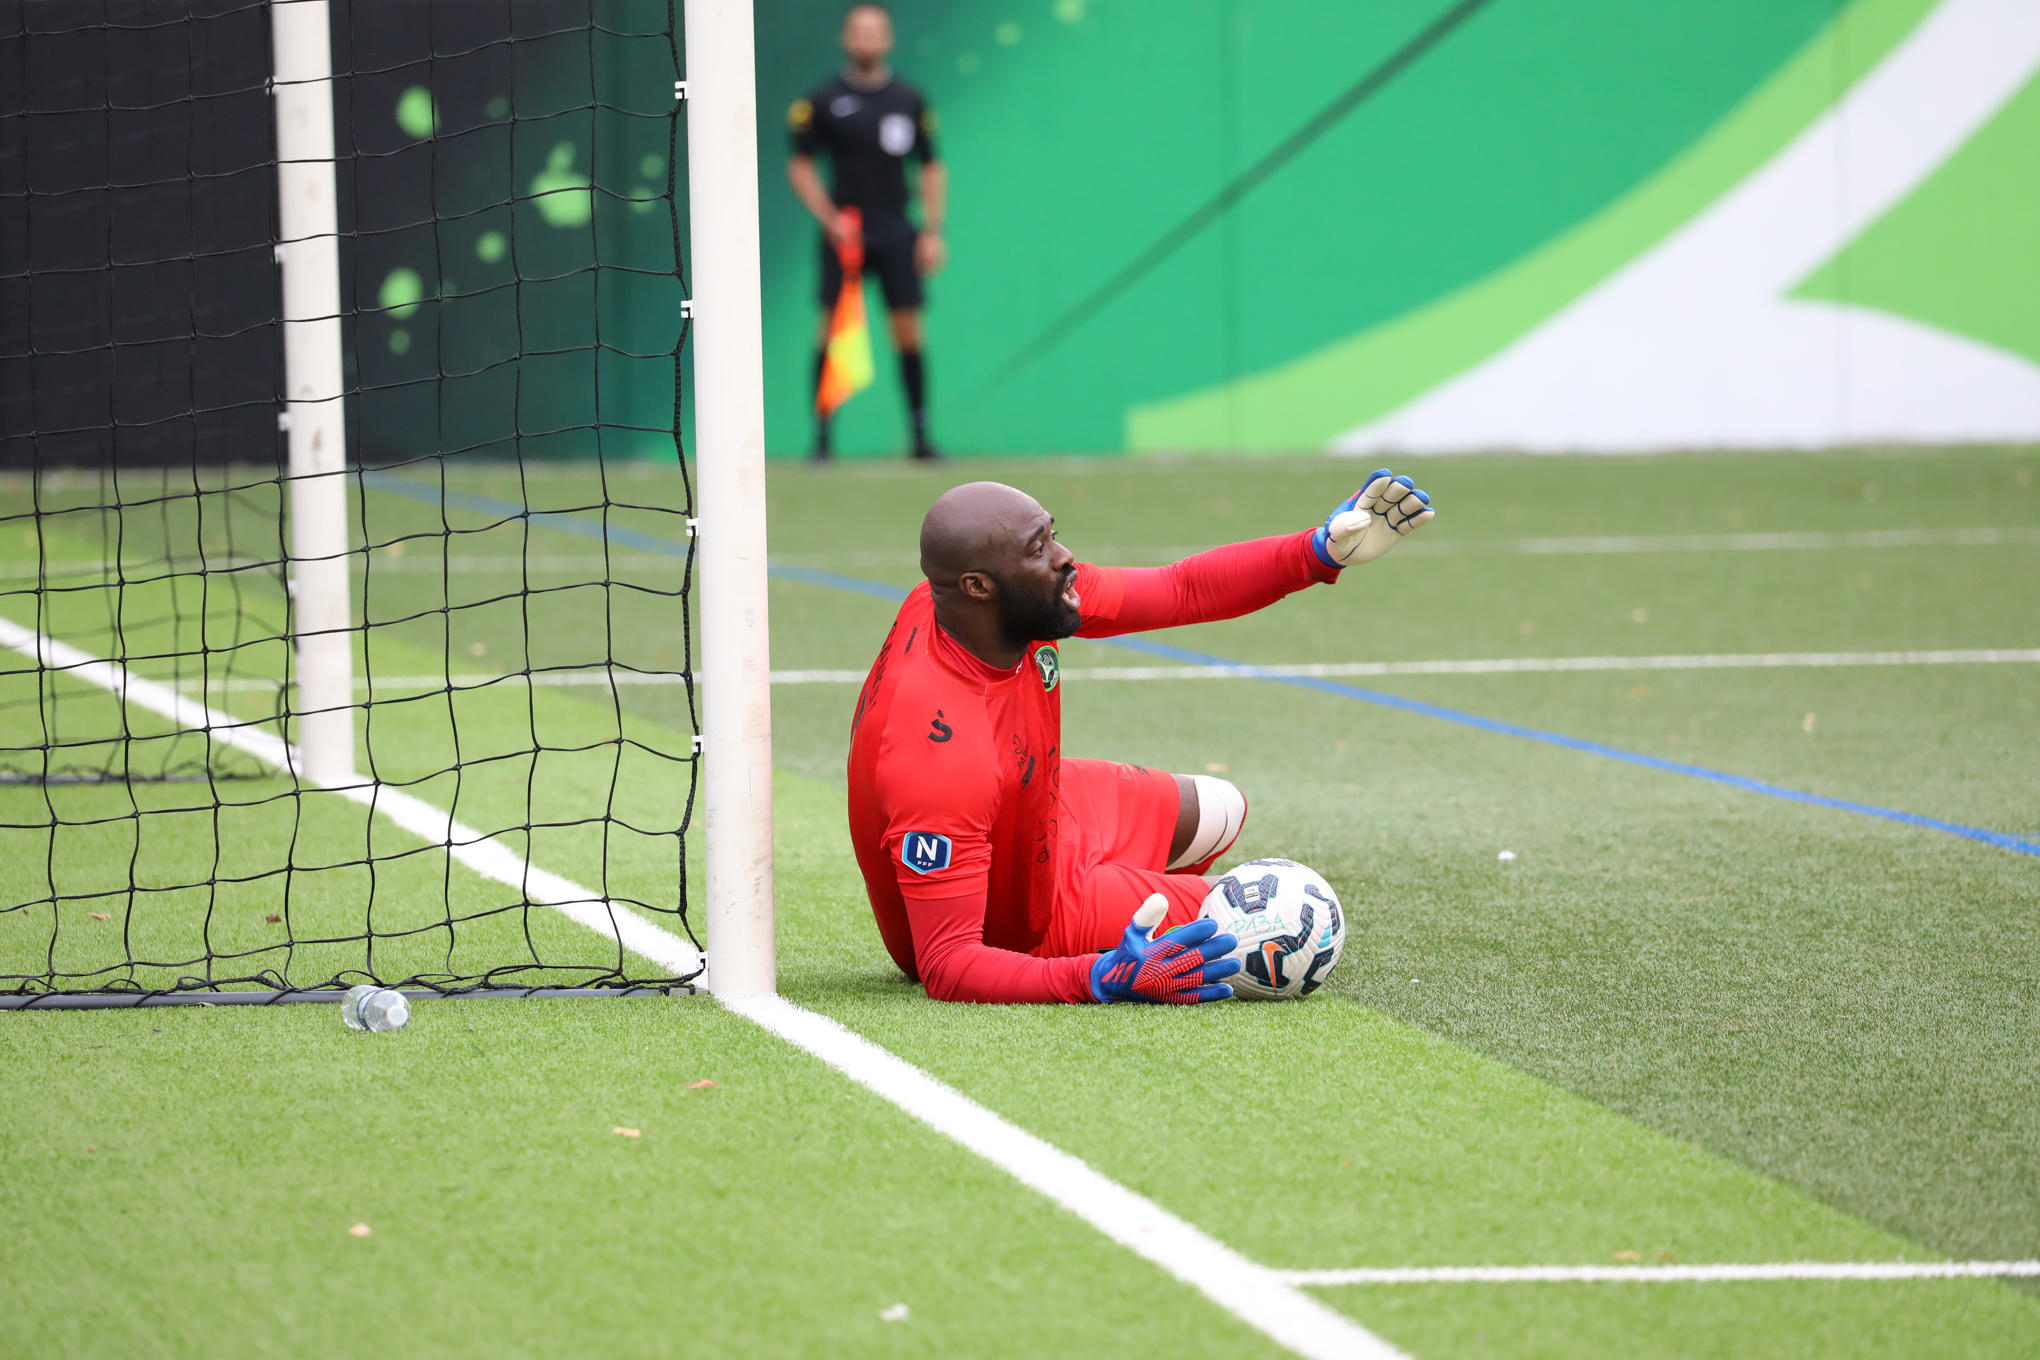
{"x":1686,"y":1023}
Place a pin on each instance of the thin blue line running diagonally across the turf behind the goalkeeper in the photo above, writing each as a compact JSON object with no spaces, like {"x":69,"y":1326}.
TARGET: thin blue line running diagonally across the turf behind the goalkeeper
{"x":829,"y":580}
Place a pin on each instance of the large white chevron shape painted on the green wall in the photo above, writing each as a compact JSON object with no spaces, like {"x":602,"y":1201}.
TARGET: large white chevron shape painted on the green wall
{"x":1694,"y":342}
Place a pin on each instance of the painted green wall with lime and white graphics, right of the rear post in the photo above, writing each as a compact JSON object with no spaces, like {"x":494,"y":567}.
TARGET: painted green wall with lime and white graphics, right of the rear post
{"x":1174,"y":227}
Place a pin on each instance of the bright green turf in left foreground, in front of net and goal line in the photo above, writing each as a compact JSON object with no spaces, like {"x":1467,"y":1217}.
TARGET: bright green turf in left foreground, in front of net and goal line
{"x":185,"y":1182}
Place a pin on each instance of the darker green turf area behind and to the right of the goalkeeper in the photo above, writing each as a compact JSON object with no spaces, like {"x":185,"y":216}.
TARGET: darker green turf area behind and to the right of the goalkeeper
{"x":1821,"y":996}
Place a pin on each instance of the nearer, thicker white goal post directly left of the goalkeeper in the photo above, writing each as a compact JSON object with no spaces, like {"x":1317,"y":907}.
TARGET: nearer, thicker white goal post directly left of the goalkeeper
{"x":729,"y":435}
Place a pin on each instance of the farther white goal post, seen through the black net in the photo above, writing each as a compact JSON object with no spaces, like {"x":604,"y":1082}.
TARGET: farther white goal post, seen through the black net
{"x":315,"y":413}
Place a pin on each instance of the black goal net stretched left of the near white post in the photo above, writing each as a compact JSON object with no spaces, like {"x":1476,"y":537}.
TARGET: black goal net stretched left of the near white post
{"x":511,"y":802}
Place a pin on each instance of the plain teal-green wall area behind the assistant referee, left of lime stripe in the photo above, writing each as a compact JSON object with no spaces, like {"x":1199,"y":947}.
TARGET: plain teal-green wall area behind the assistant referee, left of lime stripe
{"x":1080,"y":132}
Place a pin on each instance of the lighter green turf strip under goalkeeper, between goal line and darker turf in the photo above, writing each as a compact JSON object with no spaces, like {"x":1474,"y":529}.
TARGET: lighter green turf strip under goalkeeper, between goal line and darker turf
{"x":1409,"y":1149}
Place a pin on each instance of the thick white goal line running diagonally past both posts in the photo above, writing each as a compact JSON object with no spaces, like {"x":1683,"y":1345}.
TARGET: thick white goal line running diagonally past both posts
{"x":1252,"y":1292}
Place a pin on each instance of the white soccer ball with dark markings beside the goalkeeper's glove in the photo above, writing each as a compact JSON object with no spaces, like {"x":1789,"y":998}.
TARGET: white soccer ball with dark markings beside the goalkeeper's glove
{"x":1288,"y":923}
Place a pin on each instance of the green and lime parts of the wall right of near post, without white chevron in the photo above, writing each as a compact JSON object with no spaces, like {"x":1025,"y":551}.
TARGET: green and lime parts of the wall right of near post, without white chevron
{"x":1519,"y":162}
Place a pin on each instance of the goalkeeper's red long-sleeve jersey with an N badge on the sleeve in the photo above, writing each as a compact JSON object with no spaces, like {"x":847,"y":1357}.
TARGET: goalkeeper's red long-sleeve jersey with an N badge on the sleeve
{"x":956,"y":770}
